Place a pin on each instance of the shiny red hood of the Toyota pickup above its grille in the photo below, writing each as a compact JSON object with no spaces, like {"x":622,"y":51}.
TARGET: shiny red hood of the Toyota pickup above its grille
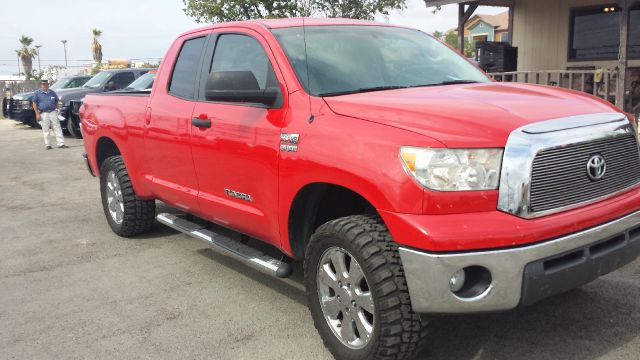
{"x":467,"y":115}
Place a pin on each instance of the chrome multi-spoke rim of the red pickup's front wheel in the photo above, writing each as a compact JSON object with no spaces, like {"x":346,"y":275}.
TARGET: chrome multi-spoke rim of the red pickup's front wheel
{"x":345,"y":298}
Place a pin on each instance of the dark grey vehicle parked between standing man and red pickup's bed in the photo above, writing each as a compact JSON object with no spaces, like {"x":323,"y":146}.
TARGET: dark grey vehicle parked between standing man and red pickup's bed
{"x":107,"y":80}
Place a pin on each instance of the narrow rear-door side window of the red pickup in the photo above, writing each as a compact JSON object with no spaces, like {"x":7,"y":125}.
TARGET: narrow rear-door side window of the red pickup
{"x":186,"y":68}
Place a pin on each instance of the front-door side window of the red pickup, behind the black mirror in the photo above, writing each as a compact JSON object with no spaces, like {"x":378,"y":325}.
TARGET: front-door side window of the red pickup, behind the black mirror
{"x":245,"y":56}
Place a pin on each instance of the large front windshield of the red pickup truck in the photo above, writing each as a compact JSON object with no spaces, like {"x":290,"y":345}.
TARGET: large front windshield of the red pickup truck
{"x":351,"y":59}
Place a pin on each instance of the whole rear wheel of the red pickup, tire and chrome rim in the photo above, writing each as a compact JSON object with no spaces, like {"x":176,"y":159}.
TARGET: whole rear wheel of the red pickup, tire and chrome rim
{"x":127,"y":214}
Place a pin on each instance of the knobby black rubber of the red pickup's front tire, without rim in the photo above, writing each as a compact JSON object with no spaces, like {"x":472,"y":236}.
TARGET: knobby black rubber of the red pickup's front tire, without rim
{"x":403,"y":333}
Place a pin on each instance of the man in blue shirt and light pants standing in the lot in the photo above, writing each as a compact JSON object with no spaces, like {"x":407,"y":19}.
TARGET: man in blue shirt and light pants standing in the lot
{"x":45,"y":105}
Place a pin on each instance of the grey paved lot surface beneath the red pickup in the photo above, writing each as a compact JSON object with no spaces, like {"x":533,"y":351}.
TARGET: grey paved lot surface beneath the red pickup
{"x":69,"y":288}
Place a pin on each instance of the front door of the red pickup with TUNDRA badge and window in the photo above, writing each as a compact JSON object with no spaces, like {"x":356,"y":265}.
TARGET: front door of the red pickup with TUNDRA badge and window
{"x":236,"y":159}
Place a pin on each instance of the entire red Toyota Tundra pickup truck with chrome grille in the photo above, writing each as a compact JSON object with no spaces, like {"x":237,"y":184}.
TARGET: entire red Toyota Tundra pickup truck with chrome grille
{"x":407,"y":181}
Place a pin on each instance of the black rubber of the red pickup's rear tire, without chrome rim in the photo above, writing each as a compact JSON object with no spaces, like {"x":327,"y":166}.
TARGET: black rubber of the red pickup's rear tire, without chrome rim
{"x":139,"y":215}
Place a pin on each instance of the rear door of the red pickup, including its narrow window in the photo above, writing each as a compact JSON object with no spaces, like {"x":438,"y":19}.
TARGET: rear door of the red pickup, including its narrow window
{"x":168,"y":128}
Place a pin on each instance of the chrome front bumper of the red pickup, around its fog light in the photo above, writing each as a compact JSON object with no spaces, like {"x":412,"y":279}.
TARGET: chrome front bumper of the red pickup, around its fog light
{"x":522,"y":275}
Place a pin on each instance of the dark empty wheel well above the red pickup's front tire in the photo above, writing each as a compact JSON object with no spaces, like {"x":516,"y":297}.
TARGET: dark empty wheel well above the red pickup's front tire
{"x":317,"y":203}
